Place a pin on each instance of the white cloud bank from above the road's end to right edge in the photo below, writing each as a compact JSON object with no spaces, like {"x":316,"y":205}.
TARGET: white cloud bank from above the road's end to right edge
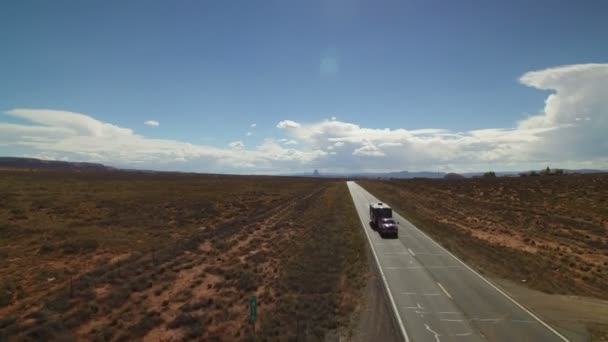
{"x":553,"y":136}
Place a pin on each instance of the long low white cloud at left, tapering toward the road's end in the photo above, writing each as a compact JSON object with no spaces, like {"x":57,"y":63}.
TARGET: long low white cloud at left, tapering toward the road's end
{"x":63,"y":135}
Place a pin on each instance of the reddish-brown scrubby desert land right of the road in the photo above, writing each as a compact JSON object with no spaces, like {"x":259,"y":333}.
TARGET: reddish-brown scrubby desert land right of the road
{"x":545,"y":233}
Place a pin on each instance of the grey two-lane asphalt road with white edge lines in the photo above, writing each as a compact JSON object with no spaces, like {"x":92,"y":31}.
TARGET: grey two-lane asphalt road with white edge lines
{"x":438,"y":298}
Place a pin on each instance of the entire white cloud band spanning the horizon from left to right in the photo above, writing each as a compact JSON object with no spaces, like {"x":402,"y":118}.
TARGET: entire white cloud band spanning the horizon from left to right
{"x":568,"y":132}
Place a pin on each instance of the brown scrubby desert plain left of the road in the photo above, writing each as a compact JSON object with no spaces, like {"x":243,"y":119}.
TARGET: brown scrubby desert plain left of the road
{"x":117,"y":256}
